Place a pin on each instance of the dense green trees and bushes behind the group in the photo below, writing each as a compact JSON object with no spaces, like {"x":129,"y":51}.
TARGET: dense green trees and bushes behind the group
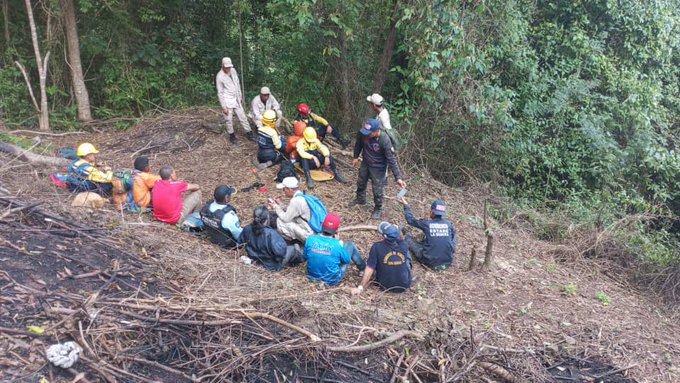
{"x":569,"y":105}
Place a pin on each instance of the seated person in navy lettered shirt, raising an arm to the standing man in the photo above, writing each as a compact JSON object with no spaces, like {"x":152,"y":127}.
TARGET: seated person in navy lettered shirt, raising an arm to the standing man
{"x":438,"y":249}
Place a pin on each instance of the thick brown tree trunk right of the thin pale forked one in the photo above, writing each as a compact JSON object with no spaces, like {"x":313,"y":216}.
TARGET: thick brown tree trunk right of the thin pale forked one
{"x":73,"y":43}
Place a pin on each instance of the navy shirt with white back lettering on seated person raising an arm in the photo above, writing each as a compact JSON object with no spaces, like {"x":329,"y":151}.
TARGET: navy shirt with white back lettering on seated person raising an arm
{"x":439,"y":246}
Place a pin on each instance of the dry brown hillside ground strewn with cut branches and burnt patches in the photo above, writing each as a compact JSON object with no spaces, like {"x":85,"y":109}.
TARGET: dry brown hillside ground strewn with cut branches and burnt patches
{"x":535,"y":316}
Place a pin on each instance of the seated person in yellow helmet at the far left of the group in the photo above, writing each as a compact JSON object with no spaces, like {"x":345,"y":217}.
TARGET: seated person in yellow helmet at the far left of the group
{"x":84,"y":174}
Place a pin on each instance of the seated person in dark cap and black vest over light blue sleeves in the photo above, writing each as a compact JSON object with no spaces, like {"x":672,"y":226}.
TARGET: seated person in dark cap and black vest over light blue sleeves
{"x":220,"y":218}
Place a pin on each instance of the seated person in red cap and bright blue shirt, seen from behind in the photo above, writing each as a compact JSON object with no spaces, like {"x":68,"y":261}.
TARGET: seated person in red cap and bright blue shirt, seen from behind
{"x":327,"y":256}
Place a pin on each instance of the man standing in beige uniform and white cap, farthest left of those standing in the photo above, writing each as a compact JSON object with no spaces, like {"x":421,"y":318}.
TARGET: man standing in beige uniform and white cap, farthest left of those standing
{"x":231,"y":99}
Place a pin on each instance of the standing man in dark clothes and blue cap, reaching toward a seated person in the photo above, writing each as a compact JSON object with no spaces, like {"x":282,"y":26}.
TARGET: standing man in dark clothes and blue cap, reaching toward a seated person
{"x":378,"y":155}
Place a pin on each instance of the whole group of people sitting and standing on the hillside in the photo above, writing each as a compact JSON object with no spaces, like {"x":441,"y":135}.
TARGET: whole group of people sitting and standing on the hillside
{"x":284,"y":235}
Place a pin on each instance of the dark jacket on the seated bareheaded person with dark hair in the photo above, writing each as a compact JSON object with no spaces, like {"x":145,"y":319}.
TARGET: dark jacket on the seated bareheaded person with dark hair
{"x":267,"y":249}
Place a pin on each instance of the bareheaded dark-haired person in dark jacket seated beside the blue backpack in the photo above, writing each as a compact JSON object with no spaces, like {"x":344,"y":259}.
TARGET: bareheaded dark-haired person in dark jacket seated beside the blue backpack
{"x":265,"y":245}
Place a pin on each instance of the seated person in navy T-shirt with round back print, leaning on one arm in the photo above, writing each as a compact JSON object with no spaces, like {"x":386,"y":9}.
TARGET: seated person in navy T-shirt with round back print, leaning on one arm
{"x":390,"y":260}
